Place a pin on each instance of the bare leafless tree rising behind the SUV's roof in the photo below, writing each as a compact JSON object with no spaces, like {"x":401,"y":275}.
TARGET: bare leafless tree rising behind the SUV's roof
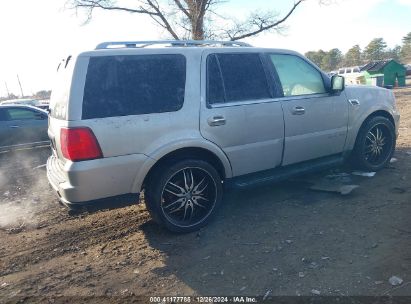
{"x":195,"y":19}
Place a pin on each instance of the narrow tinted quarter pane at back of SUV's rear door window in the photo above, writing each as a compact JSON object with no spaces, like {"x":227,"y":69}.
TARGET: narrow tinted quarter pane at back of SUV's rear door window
{"x":215,"y":88}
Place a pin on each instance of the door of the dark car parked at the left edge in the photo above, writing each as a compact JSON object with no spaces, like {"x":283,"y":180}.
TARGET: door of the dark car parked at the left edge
{"x":26,"y":125}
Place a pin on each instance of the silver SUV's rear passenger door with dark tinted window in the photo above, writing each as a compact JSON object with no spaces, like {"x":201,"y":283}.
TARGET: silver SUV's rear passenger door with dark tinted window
{"x":240,"y":114}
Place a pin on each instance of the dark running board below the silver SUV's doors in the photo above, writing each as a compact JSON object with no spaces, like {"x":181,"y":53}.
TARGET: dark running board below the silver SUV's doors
{"x":282,"y":173}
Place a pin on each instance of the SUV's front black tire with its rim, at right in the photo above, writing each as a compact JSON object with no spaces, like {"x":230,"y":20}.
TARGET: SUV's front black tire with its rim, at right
{"x":375,"y":144}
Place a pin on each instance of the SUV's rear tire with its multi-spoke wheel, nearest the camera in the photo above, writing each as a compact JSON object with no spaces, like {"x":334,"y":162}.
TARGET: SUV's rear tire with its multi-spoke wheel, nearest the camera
{"x":184,"y":196}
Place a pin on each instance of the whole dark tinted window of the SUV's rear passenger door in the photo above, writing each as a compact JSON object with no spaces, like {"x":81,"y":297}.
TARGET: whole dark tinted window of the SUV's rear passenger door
{"x":236,"y":77}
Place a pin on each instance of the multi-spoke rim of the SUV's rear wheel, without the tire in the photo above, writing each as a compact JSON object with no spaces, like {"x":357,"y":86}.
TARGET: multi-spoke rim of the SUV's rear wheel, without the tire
{"x":188,"y":196}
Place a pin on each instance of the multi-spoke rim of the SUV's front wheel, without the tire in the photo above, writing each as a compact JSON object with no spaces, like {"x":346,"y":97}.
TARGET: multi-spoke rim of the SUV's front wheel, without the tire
{"x":378,"y":145}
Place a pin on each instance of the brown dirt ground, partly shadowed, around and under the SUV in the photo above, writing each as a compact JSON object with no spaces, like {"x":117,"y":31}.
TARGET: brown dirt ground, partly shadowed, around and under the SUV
{"x":284,"y":239}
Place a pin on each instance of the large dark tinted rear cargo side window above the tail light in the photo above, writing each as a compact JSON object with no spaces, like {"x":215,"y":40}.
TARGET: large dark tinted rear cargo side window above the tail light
{"x":134,"y":84}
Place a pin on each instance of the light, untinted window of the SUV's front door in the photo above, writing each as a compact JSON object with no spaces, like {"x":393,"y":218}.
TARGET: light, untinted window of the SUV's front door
{"x":297,"y":76}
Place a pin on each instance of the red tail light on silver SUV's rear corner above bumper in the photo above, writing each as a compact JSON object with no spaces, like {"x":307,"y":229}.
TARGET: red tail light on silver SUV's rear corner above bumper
{"x":79,"y":144}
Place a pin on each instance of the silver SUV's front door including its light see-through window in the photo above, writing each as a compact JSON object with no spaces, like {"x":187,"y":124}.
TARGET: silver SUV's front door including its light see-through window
{"x":315,"y":120}
